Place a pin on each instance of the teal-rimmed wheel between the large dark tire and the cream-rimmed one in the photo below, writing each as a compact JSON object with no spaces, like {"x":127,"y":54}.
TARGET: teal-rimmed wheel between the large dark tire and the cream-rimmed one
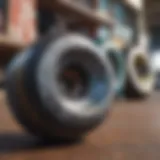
{"x":115,"y":56}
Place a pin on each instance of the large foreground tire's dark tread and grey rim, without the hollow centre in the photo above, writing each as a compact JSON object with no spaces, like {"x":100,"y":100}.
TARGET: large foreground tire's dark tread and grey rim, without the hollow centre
{"x":40,"y":113}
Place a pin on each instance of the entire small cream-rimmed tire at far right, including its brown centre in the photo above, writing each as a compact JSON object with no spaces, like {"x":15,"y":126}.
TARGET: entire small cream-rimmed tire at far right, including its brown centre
{"x":140,"y":76}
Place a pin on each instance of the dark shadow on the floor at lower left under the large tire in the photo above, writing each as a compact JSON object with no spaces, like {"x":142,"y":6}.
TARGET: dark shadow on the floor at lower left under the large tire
{"x":14,"y":142}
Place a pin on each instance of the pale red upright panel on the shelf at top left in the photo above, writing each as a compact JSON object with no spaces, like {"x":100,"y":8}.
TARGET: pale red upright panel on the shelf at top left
{"x":22,"y":21}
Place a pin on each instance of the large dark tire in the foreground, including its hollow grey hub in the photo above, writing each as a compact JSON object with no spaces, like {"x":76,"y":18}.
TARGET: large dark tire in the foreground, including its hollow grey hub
{"x":35,"y":93}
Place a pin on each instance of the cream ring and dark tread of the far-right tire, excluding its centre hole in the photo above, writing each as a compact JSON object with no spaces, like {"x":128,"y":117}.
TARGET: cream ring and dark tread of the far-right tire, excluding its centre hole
{"x":134,"y":88}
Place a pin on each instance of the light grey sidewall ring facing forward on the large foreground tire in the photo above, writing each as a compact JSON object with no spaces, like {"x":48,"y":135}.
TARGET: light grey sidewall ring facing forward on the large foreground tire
{"x":49,"y":93}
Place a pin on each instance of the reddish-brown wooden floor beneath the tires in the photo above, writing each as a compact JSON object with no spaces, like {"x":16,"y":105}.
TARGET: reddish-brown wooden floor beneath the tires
{"x":132,"y":132}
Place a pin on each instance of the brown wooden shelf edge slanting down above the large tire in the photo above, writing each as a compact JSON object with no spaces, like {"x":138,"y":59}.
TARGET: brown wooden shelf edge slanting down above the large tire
{"x":87,"y":15}
